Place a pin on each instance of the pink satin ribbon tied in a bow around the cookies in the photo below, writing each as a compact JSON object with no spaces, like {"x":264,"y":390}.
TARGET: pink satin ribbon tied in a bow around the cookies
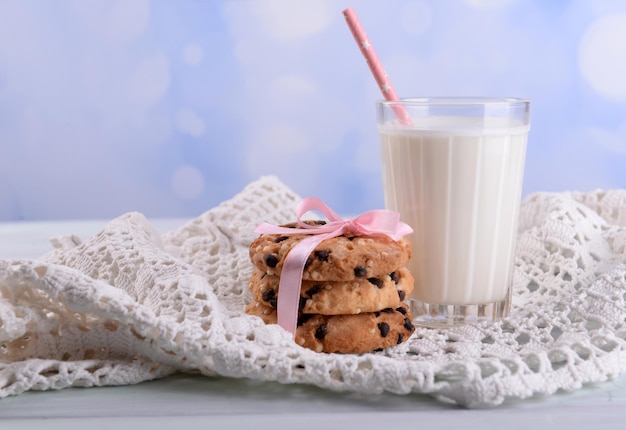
{"x":375,"y":222}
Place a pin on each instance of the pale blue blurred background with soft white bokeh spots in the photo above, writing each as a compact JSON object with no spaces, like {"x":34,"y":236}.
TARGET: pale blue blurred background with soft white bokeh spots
{"x":170,"y":107}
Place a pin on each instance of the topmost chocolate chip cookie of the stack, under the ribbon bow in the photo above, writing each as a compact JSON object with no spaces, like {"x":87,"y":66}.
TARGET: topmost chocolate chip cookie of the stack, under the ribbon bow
{"x":340,"y":258}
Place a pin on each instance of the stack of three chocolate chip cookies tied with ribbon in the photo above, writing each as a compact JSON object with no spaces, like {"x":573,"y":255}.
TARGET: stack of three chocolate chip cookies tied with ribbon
{"x":352,"y":292}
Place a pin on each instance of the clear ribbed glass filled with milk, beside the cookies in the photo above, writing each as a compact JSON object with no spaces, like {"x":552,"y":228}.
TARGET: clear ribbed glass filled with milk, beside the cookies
{"x":455,"y":174}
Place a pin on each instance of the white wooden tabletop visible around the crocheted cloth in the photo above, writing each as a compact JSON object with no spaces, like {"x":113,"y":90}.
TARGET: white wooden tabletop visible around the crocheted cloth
{"x":197,"y":402}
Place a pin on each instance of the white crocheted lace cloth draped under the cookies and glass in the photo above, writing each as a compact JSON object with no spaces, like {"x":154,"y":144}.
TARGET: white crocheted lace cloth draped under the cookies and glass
{"x":129,"y":305}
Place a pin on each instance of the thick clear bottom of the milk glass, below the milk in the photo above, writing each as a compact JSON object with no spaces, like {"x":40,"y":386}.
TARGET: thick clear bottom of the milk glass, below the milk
{"x":441,"y":316}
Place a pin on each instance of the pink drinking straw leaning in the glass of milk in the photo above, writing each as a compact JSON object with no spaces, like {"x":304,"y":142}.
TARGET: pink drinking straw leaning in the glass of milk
{"x":382,"y":80}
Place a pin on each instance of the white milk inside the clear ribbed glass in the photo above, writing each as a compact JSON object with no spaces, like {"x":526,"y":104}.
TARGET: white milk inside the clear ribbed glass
{"x":460,"y":190}
